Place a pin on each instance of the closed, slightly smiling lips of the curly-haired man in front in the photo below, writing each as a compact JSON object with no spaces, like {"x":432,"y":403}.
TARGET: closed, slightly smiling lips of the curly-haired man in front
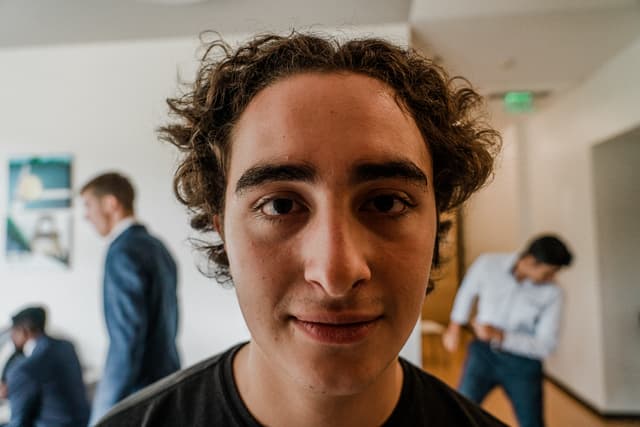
{"x":339,"y":332}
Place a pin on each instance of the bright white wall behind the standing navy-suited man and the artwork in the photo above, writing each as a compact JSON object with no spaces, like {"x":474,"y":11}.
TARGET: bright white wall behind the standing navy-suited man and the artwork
{"x":101,"y":103}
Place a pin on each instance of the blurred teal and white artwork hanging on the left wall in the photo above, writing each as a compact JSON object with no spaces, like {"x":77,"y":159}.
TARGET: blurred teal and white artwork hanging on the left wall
{"x":39,"y":217}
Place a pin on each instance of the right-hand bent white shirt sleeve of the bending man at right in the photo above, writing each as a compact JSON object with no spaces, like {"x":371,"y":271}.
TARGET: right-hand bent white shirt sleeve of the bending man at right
{"x":544,"y":341}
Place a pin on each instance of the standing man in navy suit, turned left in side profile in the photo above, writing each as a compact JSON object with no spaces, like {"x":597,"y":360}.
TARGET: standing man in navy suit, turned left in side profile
{"x":140,"y":301}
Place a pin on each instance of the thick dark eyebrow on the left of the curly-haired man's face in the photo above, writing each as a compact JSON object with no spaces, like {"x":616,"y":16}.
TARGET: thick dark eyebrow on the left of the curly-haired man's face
{"x":265,"y":173}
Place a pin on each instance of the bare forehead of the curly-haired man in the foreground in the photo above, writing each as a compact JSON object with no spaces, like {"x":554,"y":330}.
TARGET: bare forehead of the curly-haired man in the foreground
{"x":327,"y":119}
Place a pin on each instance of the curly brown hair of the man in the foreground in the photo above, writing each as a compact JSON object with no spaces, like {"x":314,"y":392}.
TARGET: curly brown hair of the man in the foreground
{"x":462,"y":145}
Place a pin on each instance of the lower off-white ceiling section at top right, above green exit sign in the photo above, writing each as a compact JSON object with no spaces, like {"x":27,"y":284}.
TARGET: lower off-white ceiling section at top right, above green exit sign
{"x":545,"y":46}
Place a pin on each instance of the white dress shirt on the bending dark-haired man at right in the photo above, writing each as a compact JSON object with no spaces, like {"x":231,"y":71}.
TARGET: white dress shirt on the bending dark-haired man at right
{"x":528,"y":313}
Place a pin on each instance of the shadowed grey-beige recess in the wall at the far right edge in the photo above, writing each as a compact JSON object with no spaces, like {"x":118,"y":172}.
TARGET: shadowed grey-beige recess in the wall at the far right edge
{"x":617,"y":196}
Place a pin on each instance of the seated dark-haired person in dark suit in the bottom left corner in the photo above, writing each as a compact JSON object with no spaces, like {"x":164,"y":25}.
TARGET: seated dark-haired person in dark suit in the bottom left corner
{"x":45,"y":386}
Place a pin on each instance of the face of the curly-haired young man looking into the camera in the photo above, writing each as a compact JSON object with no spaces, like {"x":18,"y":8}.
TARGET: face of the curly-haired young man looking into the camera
{"x":329,"y":226}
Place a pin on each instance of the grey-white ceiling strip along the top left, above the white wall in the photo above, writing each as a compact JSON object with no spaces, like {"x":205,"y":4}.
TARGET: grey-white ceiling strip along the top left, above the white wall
{"x":46,"y":22}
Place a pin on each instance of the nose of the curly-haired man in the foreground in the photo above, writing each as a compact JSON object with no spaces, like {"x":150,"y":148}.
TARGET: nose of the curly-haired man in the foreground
{"x":335,"y":254}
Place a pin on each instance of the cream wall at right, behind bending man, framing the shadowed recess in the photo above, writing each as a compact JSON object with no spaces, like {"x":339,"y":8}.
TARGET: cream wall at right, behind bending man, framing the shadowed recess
{"x":561,"y":192}
